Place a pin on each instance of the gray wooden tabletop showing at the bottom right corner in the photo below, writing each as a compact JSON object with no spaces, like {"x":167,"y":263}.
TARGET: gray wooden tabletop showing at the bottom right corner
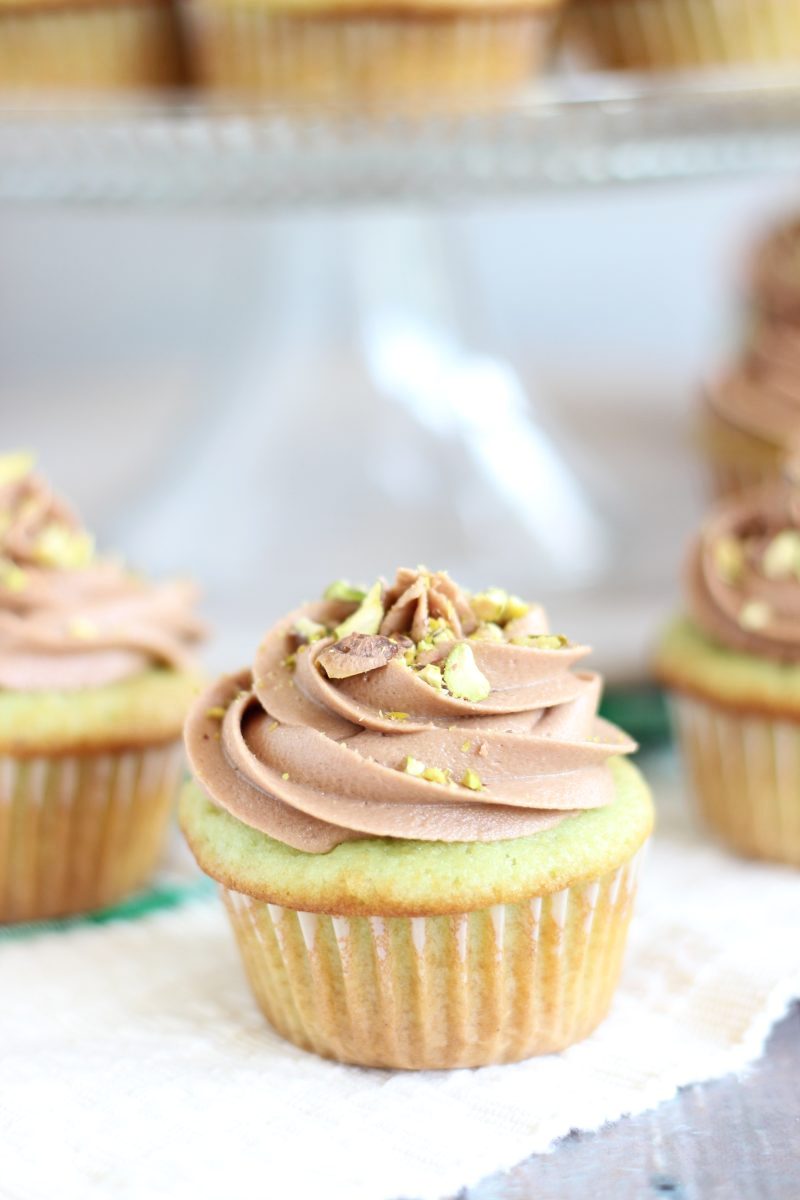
{"x":733,"y":1139}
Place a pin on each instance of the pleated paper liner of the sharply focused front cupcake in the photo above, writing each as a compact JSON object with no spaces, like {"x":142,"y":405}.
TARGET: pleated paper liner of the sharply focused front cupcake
{"x":495,"y":986}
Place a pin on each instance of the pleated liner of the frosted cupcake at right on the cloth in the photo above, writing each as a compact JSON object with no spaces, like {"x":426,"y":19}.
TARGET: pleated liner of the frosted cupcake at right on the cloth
{"x":744,"y":773}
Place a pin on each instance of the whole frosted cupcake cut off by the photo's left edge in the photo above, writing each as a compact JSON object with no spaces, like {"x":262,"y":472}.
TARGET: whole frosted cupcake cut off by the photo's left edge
{"x":97,"y":676}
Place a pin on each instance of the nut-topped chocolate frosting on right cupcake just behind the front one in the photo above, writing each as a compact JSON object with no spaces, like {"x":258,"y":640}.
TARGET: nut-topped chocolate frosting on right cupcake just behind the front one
{"x":744,"y":574}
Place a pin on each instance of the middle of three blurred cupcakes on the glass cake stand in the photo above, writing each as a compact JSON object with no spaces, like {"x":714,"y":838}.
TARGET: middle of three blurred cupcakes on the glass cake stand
{"x":348,"y":53}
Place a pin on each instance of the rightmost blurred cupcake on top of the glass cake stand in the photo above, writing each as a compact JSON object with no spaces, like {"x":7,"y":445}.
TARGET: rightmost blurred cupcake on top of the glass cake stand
{"x":670,"y":34}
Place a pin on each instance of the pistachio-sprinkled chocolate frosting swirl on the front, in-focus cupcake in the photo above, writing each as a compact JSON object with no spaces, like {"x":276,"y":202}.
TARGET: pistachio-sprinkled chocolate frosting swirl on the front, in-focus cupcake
{"x":411,"y":711}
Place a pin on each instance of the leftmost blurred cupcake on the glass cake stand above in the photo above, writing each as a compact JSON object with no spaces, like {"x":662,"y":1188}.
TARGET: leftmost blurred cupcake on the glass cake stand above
{"x":111,"y":45}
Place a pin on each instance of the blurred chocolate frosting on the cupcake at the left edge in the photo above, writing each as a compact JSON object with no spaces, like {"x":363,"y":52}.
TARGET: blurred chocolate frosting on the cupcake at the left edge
{"x":70,"y":619}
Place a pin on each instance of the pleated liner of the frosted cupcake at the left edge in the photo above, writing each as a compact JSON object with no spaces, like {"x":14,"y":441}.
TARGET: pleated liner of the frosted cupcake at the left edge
{"x":82,"y":832}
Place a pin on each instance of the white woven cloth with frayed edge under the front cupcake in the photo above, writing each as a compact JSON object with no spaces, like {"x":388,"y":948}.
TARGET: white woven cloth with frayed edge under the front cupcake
{"x":134,"y":1061}
